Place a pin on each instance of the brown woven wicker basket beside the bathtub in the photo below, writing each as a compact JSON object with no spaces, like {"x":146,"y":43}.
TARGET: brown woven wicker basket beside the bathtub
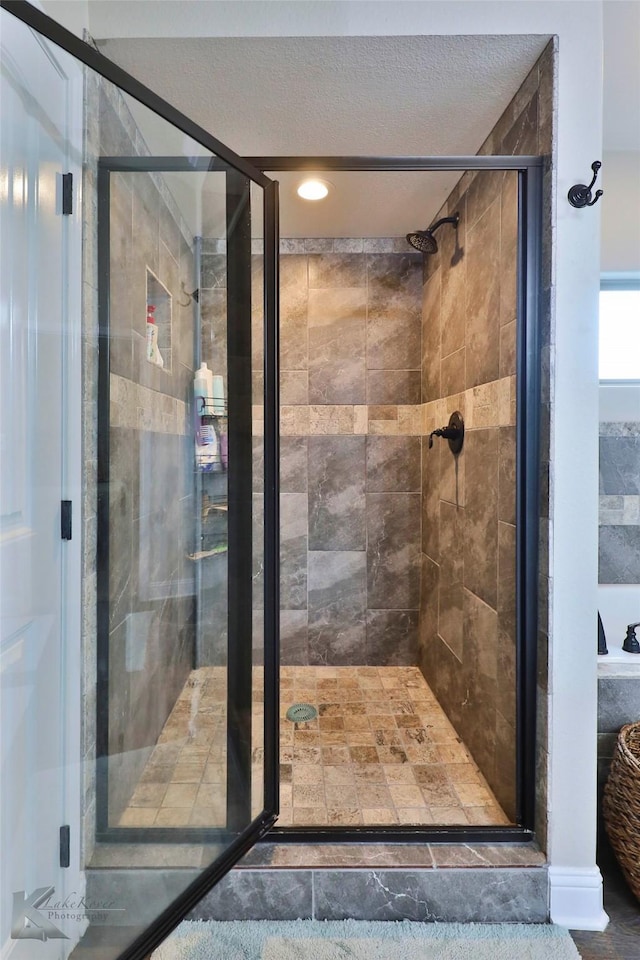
{"x":621,"y":805}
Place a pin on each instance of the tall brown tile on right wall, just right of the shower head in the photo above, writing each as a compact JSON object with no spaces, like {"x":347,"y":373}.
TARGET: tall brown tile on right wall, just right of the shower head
{"x":482,"y":336}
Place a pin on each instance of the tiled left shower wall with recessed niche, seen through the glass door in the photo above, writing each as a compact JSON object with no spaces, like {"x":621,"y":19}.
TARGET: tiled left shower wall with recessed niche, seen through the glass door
{"x":151,"y":521}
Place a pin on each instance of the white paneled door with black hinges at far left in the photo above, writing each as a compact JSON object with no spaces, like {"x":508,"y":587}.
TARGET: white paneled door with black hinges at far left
{"x":34,"y":115}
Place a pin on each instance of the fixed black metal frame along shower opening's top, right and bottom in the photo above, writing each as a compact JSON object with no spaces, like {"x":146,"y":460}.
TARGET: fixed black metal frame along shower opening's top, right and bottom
{"x":529,"y":170}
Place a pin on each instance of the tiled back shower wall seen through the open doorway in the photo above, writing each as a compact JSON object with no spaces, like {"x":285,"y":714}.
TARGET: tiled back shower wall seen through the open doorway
{"x":350,"y":451}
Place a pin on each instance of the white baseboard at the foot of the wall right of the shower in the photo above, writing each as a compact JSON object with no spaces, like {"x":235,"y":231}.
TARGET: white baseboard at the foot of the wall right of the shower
{"x":575,"y":898}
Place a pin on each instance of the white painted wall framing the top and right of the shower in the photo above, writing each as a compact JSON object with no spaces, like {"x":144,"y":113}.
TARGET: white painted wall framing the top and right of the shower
{"x":575,"y":880}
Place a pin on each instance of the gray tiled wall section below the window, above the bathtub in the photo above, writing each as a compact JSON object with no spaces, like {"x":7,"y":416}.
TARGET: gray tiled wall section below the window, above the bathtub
{"x":619,"y":534}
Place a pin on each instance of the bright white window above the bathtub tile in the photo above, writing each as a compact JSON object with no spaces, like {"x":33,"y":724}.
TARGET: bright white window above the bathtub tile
{"x":619,"y":346}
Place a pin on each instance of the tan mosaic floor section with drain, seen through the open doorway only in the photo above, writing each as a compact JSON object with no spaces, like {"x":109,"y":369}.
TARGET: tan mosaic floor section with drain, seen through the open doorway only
{"x":380,"y":752}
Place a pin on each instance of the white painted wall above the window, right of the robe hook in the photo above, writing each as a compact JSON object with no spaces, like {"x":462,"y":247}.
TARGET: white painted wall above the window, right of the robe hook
{"x":621,"y":211}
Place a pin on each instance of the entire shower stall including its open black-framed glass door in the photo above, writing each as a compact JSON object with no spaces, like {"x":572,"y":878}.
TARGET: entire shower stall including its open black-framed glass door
{"x":304,"y":599}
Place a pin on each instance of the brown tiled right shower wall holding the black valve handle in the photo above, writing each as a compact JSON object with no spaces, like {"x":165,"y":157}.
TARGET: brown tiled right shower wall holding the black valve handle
{"x":467,"y":615}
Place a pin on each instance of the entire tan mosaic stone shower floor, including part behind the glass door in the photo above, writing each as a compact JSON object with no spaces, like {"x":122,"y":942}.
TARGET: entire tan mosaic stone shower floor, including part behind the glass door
{"x":381,"y":751}
